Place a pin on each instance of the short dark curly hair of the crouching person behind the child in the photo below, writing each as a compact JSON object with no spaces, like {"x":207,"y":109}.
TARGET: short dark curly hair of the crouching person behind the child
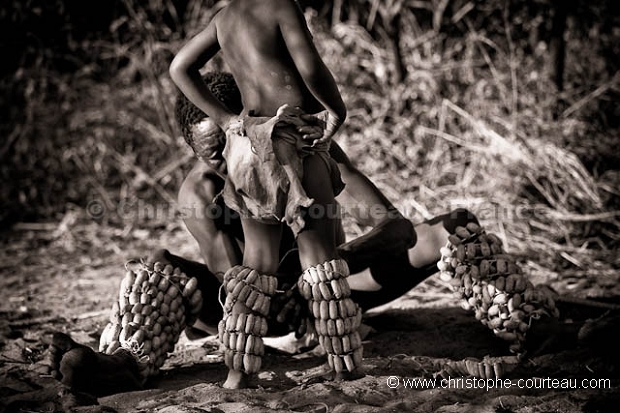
{"x":223,"y":86}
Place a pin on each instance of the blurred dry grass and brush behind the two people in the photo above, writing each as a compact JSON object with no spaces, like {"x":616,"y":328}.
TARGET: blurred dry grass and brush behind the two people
{"x":451,"y":103}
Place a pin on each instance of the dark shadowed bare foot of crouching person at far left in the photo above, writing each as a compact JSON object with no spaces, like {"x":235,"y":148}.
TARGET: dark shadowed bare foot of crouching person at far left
{"x":83,"y":370}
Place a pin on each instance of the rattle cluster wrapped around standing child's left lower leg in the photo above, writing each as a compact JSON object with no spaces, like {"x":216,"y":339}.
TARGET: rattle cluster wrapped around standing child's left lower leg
{"x":241,"y":332}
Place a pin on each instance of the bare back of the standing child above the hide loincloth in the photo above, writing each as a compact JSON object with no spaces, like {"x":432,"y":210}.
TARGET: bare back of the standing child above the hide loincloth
{"x":254,"y":50}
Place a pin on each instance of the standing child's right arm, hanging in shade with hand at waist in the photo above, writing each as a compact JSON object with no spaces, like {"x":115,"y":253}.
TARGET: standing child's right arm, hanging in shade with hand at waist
{"x":316,"y":76}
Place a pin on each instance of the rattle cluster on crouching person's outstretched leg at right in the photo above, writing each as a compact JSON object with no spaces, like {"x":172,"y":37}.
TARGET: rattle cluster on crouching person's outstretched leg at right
{"x":492,"y":284}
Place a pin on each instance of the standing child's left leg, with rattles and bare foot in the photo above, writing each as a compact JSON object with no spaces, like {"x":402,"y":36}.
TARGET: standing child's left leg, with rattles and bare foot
{"x":249,"y":287}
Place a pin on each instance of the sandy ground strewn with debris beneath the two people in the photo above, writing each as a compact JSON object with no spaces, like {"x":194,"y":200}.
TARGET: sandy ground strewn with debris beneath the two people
{"x":48,"y":286}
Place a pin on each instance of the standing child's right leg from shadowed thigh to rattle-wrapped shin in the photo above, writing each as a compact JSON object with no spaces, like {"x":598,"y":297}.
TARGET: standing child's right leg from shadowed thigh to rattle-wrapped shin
{"x":324,"y":281}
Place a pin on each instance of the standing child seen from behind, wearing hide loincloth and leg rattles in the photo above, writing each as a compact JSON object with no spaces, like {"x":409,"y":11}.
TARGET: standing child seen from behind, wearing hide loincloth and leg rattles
{"x":278,"y":167}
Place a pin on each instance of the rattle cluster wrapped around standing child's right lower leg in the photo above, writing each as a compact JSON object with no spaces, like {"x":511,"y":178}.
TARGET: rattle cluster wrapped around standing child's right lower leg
{"x":336,"y":317}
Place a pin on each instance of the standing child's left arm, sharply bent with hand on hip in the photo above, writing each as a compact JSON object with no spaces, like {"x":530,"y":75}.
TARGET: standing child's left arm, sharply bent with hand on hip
{"x":185,"y":73}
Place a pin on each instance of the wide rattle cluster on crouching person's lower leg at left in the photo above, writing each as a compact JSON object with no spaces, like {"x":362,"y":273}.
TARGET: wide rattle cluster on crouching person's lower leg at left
{"x":155,"y":303}
